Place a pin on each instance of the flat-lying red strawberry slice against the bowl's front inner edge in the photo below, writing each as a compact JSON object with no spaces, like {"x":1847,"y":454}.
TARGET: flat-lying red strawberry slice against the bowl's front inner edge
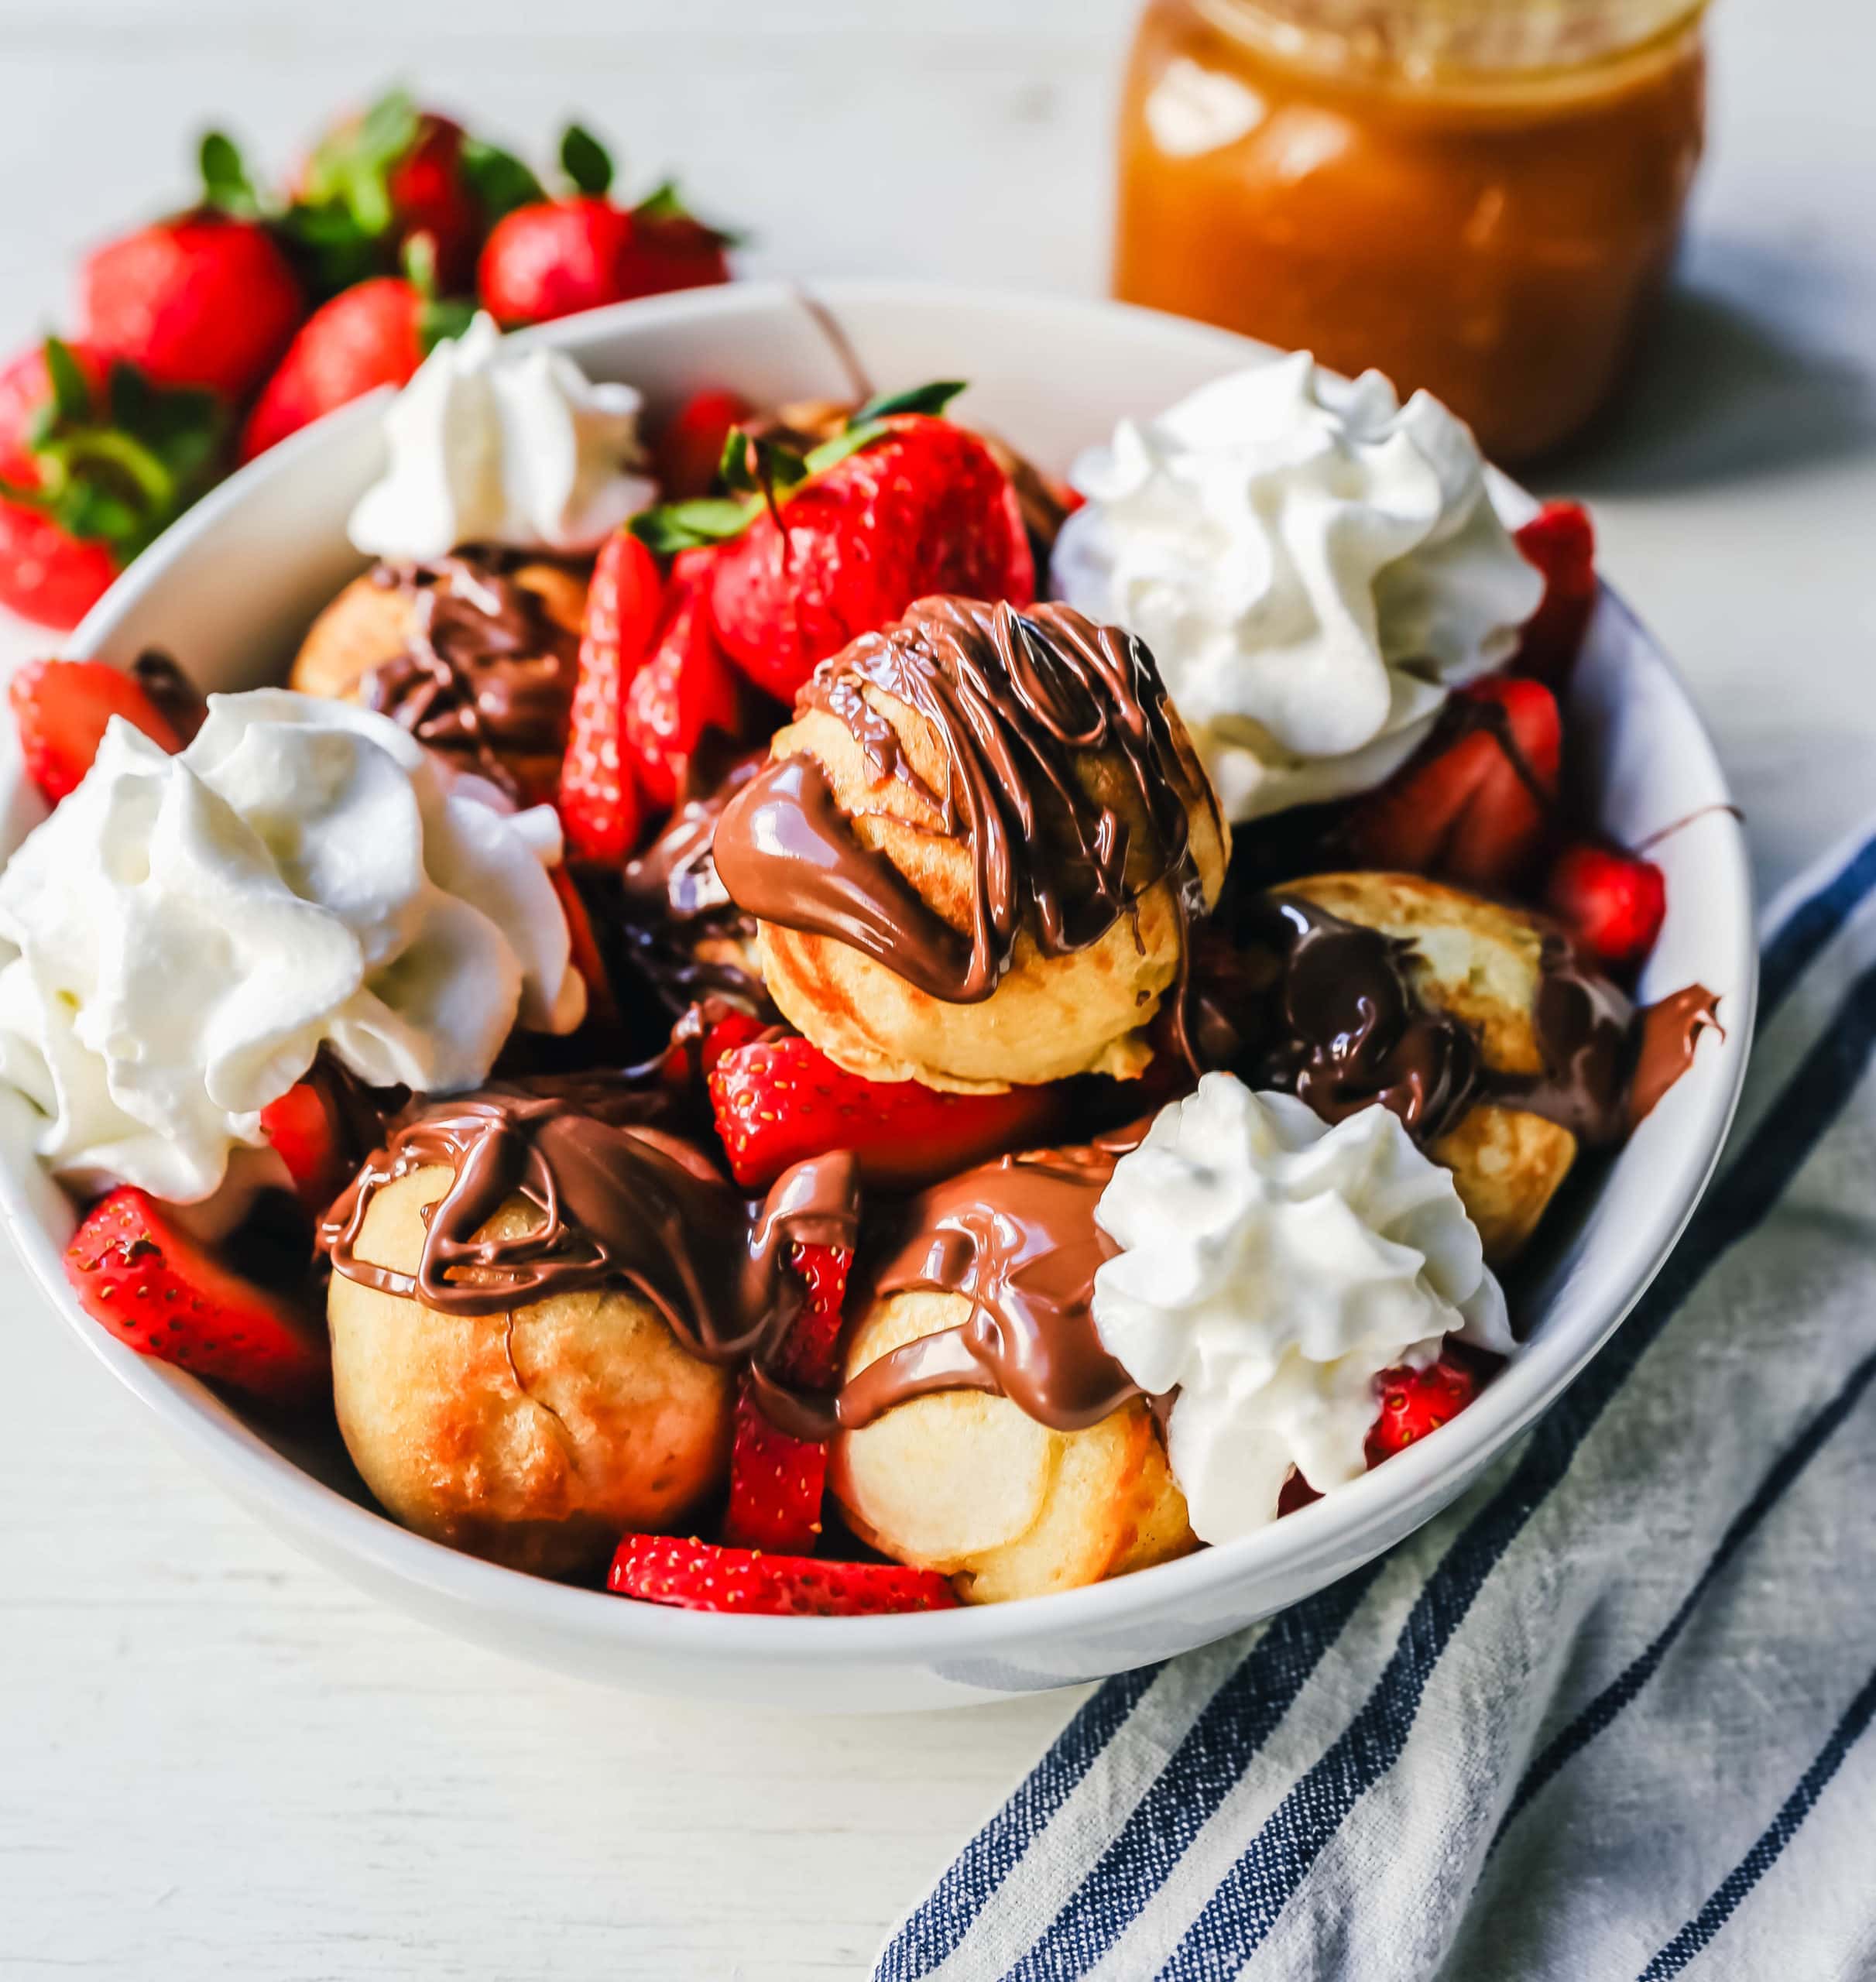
{"x":701,"y":1577}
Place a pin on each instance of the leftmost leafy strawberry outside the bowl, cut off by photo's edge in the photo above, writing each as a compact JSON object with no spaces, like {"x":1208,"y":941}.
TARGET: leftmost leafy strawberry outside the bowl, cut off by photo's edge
{"x":94,"y":463}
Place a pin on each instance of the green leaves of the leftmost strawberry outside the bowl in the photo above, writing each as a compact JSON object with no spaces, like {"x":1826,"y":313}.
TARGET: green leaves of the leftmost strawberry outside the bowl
{"x":120,"y":471}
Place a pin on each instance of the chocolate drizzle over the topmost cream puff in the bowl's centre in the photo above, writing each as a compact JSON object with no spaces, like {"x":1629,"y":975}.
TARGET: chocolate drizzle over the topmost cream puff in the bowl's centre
{"x":1014,"y":701}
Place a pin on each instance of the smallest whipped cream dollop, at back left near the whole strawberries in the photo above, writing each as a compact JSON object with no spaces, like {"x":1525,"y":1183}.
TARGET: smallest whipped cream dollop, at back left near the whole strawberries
{"x":491,"y":445}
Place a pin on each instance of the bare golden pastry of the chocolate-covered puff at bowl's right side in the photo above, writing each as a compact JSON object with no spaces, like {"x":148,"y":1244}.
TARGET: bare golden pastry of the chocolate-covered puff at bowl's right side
{"x":1480,"y":962}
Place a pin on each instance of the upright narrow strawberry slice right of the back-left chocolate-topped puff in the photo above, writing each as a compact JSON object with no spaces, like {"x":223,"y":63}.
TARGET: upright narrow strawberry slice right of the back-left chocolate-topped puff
{"x":598,"y":794}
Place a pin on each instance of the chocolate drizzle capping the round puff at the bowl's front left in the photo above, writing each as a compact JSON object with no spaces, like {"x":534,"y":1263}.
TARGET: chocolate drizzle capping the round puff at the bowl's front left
{"x":622,"y":1204}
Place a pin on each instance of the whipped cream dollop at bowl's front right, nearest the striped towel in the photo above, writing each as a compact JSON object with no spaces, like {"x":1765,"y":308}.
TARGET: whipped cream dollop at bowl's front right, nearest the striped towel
{"x":1272,"y":1267}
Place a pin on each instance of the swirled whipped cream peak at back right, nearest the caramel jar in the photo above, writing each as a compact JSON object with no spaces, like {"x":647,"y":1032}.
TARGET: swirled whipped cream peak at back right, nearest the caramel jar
{"x":1314,"y":568}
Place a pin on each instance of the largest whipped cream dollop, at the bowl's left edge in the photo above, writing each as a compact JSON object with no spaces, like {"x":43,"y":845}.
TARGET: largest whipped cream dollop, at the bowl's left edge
{"x":183,"y":933}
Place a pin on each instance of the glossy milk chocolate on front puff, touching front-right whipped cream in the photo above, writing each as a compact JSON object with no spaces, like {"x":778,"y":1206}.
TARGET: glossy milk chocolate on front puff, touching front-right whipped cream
{"x":1018,"y":1240}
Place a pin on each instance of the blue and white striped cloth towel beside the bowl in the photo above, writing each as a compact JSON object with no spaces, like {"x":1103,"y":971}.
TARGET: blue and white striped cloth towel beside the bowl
{"x":1599,"y":1721}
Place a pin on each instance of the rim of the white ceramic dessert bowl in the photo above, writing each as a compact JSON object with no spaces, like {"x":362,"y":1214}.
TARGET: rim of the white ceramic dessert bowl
{"x":1348,"y":1525}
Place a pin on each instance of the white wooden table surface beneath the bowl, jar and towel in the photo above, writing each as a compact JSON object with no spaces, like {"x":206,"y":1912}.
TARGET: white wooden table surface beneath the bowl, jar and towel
{"x":217,"y":1761}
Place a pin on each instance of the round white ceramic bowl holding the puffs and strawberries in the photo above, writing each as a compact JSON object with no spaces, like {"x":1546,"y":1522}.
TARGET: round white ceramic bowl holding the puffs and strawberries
{"x":233,"y":588}
